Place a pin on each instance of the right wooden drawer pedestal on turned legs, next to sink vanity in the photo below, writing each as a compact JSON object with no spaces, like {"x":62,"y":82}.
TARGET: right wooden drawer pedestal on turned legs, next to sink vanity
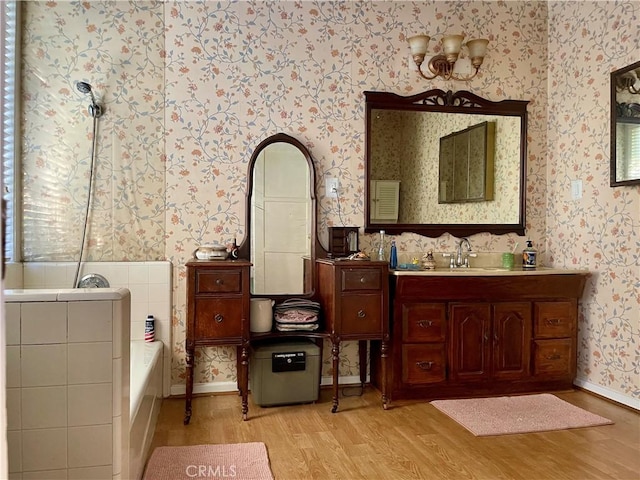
{"x":354,"y":296}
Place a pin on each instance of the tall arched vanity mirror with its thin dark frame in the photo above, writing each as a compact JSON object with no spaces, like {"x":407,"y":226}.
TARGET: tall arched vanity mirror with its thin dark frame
{"x":281,"y":218}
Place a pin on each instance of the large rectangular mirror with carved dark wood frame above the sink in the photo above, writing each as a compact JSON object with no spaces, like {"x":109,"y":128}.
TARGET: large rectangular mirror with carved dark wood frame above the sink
{"x":403,"y":154}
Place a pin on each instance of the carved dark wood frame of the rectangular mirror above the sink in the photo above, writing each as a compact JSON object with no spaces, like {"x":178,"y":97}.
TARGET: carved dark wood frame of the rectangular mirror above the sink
{"x":446,"y":102}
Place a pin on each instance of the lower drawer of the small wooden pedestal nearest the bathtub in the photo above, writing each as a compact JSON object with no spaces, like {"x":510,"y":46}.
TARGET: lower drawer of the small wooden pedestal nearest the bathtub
{"x":218,"y":319}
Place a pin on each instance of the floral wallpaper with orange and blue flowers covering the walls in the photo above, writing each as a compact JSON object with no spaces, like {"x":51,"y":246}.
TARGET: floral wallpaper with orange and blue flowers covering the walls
{"x":192,"y":87}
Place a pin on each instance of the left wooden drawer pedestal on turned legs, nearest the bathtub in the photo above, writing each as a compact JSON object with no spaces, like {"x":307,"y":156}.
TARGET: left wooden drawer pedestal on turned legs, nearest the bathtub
{"x":218,"y":305}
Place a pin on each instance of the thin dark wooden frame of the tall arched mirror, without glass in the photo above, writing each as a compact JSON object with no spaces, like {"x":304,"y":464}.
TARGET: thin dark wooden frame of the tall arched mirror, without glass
{"x":244,"y":249}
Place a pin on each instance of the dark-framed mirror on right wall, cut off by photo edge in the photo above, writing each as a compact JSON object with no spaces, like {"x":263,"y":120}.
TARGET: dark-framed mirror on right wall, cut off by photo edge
{"x":625,"y":126}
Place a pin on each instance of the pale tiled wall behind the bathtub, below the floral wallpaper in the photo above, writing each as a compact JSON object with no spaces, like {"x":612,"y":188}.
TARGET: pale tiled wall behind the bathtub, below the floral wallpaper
{"x":148,"y":282}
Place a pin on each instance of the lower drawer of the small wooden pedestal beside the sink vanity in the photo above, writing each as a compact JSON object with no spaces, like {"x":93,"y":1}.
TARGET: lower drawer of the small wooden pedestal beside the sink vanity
{"x":361,"y":314}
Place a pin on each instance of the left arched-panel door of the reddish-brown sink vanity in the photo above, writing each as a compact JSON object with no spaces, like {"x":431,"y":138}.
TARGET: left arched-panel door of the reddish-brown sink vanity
{"x":470,"y":342}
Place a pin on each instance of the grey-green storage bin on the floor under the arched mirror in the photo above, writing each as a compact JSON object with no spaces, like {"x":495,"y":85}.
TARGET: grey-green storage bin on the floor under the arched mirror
{"x":285,"y":373}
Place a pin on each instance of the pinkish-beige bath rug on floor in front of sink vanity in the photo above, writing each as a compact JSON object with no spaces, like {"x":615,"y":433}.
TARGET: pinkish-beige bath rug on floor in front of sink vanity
{"x":518,"y":414}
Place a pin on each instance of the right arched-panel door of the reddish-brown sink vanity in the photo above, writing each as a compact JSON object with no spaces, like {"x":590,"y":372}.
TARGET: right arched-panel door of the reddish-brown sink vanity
{"x":511,"y":340}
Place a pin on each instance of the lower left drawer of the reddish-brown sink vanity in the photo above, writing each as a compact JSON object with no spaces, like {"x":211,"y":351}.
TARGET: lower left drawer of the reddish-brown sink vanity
{"x":423,"y":363}
